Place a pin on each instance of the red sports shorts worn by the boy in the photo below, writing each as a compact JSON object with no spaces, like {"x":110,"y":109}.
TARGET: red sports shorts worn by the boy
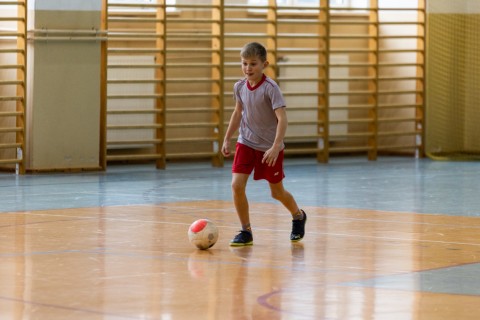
{"x":246,"y":159}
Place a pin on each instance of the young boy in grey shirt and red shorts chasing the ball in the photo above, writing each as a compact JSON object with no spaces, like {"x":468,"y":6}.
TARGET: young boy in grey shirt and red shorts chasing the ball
{"x":260,"y":117}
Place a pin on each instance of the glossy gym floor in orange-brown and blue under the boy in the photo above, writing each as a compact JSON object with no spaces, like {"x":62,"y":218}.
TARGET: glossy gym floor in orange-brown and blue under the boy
{"x":126,"y":254}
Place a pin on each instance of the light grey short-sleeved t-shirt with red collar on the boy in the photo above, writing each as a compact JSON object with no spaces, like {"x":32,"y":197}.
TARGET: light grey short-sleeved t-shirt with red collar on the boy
{"x":258,"y":126}
